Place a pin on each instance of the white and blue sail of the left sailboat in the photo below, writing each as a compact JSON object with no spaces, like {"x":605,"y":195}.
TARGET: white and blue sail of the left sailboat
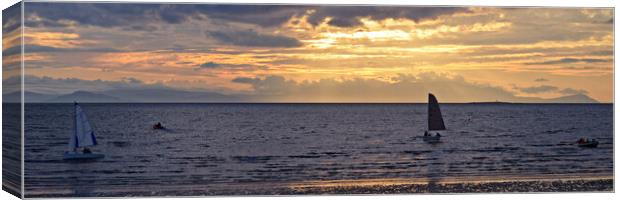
{"x":83,"y":134}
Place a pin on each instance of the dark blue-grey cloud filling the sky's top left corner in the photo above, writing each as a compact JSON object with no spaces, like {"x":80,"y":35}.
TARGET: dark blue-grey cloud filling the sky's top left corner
{"x":128,"y":14}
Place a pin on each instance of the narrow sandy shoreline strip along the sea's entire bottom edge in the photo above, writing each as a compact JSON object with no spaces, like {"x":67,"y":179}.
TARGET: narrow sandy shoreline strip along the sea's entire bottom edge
{"x":373,"y":186}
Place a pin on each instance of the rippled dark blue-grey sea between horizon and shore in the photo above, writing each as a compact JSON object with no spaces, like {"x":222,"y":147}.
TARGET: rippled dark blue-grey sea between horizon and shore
{"x":233,"y":147}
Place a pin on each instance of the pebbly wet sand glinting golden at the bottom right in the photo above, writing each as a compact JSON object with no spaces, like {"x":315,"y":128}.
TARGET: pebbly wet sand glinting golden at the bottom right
{"x":479,"y":184}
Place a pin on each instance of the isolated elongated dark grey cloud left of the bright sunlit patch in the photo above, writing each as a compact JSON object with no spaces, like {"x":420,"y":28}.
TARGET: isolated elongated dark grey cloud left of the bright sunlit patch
{"x":251,"y":38}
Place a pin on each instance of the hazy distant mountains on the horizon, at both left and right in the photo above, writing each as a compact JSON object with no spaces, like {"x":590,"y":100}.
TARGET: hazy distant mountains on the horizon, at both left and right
{"x":179,"y":96}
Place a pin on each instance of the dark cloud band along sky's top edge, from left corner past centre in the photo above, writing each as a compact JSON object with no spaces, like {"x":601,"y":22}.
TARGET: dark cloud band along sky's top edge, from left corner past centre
{"x":127,"y":14}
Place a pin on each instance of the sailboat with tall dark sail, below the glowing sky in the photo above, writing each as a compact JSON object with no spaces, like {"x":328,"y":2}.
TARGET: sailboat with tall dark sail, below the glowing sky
{"x":435,"y":121}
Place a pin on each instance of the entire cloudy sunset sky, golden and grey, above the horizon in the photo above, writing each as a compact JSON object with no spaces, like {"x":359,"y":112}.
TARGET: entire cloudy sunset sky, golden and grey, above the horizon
{"x":315,"y":53}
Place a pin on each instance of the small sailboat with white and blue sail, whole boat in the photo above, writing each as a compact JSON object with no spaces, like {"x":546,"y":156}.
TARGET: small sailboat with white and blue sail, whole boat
{"x":82,"y":138}
